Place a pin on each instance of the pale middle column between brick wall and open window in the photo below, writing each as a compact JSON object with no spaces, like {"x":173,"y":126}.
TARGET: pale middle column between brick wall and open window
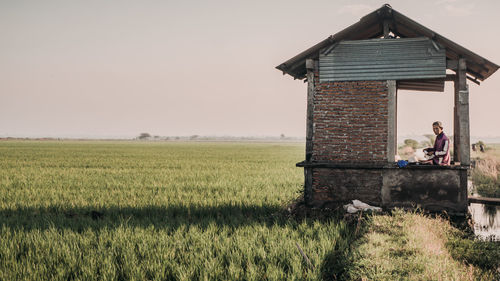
{"x":391,"y":122}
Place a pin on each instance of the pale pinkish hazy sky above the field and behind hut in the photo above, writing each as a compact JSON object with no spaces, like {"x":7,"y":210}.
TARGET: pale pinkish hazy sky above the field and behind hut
{"x":114,"y":68}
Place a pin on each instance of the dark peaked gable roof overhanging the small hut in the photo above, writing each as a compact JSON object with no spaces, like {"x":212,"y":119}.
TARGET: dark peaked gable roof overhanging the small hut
{"x":371,"y":26}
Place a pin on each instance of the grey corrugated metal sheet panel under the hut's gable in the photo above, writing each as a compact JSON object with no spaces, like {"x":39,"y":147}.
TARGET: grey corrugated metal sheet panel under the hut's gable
{"x":383,"y":59}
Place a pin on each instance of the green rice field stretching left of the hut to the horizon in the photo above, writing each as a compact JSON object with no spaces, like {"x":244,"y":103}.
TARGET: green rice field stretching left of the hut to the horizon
{"x":160,"y":211}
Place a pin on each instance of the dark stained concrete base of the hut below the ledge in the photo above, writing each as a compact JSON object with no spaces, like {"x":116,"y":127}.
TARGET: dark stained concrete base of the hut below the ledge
{"x":433,"y":188}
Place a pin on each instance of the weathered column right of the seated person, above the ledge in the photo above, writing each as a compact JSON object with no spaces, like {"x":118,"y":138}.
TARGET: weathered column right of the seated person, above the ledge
{"x":461,"y":122}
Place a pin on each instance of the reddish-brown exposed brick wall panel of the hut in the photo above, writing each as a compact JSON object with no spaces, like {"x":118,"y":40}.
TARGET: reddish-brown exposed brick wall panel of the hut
{"x":350,"y":122}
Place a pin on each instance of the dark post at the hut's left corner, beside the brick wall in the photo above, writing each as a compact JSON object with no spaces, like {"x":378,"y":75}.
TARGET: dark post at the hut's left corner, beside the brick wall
{"x":310,"y":66}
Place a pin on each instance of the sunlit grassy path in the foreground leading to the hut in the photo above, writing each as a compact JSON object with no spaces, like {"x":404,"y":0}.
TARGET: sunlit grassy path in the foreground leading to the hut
{"x":413,"y":246}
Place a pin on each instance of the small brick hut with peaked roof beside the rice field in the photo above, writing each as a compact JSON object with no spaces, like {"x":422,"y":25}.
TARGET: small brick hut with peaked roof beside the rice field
{"x":353,"y":78}
